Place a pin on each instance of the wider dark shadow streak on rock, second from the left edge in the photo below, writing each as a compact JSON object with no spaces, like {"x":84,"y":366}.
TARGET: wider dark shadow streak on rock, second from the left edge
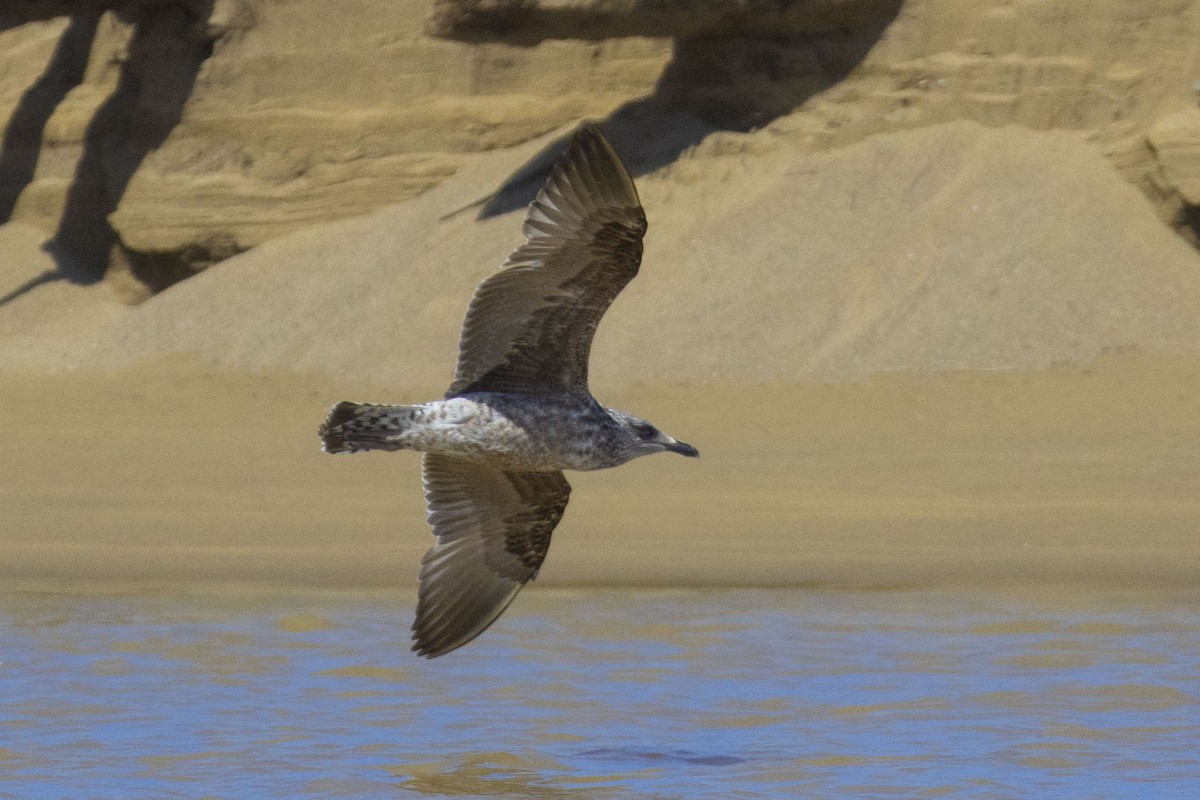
{"x":169,"y":46}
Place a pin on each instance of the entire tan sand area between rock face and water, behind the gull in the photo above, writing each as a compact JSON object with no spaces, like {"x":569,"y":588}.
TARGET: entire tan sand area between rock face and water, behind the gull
{"x":181,"y":448}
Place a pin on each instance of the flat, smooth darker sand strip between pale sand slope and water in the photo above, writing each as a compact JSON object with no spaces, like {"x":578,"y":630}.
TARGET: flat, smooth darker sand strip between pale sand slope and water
{"x":177,"y":476}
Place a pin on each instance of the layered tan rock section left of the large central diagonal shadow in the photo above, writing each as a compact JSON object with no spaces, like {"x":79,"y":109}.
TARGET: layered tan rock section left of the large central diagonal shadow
{"x":296,"y":116}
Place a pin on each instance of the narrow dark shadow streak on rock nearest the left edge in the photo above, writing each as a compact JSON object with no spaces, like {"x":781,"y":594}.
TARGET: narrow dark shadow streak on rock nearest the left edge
{"x":22,"y":145}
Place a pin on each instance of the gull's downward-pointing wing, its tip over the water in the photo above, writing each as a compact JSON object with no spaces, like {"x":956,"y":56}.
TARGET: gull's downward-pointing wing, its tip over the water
{"x":494,"y":531}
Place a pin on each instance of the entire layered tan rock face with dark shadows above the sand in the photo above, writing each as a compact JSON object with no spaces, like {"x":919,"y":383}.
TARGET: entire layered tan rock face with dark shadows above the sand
{"x":195,"y":131}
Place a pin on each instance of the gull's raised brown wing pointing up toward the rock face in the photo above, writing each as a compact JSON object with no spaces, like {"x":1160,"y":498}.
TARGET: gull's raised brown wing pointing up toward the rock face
{"x":530,"y":327}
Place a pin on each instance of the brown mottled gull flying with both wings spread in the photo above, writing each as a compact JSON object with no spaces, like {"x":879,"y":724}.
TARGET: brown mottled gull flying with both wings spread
{"x":519,"y":411}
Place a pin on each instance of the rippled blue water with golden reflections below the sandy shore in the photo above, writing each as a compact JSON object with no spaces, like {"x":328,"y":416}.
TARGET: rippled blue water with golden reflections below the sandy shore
{"x":607,"y":695}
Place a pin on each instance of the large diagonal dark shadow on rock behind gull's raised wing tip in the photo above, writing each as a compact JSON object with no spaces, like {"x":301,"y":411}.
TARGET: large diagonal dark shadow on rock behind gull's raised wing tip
{"x":716,"y":83}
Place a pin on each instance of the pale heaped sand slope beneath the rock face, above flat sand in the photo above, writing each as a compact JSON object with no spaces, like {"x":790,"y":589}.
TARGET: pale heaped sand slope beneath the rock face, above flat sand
{"x":951,"y":248}
